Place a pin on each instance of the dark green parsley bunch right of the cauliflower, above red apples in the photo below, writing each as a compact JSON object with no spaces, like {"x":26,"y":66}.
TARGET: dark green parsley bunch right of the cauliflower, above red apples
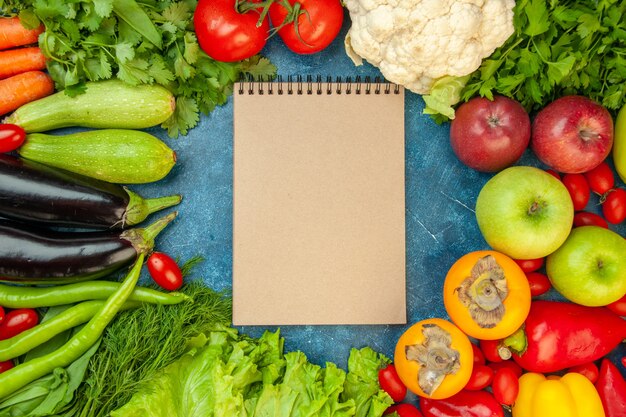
{"x":559,"y":47}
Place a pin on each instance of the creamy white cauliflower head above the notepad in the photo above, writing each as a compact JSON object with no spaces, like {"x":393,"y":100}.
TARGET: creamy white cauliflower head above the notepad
{"x":416,"y":42}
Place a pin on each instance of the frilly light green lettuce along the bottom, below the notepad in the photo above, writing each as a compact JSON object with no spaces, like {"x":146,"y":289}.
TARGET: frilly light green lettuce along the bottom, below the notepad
{"x":234,"y":375}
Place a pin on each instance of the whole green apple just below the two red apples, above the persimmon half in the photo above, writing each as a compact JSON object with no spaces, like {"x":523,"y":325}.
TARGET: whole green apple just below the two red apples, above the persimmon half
{"x":524,"y":212}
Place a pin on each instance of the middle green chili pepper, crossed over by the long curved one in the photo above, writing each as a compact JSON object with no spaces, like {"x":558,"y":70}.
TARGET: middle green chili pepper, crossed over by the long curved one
{"x":35,"y":336}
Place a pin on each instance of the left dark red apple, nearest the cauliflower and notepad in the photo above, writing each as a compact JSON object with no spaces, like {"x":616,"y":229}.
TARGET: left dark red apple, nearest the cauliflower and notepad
{"x":489,"y":136}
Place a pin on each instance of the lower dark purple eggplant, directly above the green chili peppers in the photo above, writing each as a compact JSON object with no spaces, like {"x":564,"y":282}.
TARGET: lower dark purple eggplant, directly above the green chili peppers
{"x":42,"y":256}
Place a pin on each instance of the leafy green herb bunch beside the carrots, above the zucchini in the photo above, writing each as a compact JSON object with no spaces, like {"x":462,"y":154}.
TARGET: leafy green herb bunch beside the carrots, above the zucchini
{"x":139,"y":42}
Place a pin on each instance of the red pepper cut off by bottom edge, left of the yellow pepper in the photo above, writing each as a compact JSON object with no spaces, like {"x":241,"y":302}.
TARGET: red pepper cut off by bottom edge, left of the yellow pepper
{"x":464,"y":403}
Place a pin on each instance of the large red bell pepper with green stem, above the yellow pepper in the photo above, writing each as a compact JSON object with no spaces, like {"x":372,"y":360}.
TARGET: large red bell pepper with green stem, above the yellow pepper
{"x":559,"y":335}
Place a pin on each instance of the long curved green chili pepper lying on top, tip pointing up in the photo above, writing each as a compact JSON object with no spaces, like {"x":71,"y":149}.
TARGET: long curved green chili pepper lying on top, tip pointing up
{"x":19,"y":376}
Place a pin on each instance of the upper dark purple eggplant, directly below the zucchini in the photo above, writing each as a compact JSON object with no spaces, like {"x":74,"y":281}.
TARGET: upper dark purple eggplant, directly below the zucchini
{"x":33,"y":192}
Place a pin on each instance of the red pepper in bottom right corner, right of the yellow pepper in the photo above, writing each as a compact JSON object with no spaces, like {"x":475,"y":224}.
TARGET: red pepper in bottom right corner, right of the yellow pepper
{"x":612,"y":389}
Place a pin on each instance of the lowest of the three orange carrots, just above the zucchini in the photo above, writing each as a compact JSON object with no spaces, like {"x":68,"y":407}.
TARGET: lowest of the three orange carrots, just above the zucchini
{"x":23,"y":88}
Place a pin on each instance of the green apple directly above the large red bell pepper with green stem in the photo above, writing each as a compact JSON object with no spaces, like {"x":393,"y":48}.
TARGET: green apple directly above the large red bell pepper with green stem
{"x":590,"y":267}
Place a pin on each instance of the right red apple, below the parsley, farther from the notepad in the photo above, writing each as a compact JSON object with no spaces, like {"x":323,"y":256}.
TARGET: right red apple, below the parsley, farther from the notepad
{"x":573,"y":134}
